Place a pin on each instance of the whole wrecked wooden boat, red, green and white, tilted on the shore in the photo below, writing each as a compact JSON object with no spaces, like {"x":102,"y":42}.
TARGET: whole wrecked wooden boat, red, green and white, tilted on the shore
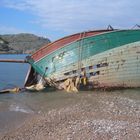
{"x":94,"y":59}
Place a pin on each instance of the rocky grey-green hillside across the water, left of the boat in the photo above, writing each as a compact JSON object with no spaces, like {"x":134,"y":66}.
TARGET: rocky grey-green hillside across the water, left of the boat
{"x":21,"y":43}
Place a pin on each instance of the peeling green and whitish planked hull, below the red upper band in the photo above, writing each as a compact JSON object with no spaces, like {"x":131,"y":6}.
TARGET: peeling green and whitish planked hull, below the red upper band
{"x":109,"y":60}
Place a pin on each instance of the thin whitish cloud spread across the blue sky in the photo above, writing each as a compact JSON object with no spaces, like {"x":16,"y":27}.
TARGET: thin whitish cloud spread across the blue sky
{"x":78,"y":15}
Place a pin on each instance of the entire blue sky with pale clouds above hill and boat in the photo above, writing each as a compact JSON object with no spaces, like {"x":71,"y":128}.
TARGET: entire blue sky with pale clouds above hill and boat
{"x":55,"y":19}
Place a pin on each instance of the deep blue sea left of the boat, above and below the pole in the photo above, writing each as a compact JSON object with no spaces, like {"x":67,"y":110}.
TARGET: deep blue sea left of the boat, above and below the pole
{"x":12,"y":74}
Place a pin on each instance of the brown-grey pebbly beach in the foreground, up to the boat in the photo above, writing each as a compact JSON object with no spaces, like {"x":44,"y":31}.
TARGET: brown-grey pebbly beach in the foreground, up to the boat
{"x":92,"y":115}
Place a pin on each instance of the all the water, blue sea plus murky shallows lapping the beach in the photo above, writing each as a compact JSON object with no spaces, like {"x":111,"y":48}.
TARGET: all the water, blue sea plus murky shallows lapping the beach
{"x":14,"y":108}
